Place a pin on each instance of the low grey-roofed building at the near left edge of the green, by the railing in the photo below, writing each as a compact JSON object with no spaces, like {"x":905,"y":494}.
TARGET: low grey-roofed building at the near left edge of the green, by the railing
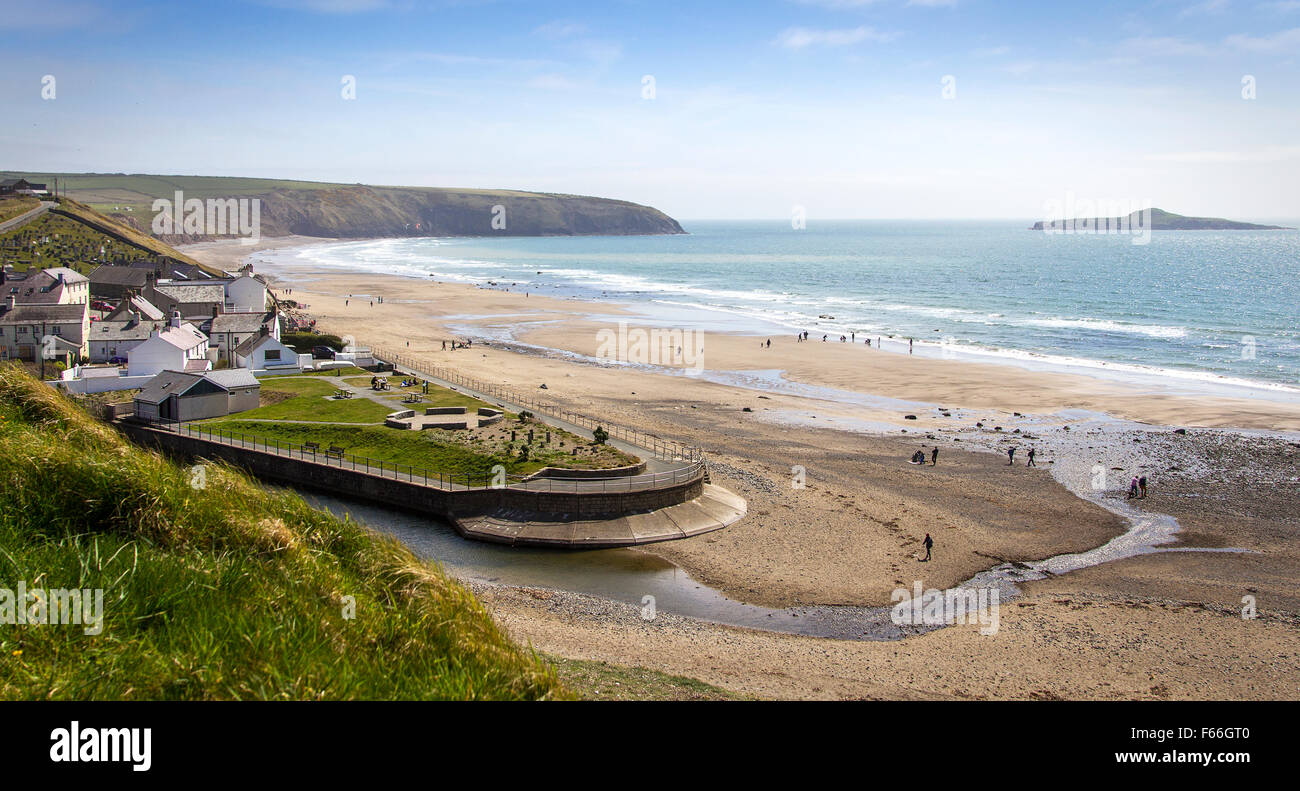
{"x":196,"y":396}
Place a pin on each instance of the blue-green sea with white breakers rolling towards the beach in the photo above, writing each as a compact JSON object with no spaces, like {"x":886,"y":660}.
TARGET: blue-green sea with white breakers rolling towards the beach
{"x":1191,"y":312}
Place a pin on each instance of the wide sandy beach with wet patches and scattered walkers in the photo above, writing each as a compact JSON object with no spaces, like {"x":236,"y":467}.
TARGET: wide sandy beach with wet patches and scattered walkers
{"x":837,"y":416}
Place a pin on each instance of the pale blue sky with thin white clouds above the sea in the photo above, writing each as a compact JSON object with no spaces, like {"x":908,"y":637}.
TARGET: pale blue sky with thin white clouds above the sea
{"x":840,"y":109}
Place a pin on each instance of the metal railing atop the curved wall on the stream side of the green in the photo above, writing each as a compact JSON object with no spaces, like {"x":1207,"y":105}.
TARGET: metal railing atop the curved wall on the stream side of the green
{"x":431,"y":478}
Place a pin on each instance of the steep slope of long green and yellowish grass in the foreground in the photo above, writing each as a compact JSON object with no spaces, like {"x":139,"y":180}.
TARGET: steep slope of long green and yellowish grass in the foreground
{"x":229,"y":591}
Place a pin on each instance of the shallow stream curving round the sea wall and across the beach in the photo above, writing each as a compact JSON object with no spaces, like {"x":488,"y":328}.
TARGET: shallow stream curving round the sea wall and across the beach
{"x":629,"y":576}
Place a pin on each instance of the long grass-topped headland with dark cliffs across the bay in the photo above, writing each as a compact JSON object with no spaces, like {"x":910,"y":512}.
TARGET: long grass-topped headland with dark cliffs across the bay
{"x":357,"y":211}
